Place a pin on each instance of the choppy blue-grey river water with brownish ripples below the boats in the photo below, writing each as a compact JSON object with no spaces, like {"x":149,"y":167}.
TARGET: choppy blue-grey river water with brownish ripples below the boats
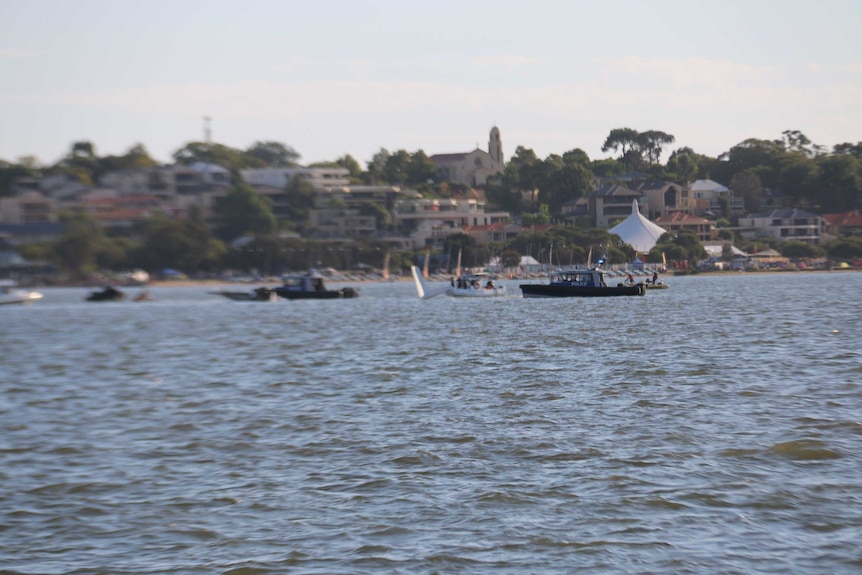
{"x":715,"y":427}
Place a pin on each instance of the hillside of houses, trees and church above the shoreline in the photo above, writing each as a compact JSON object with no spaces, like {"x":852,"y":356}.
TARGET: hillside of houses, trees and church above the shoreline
{"x":217,"y":208}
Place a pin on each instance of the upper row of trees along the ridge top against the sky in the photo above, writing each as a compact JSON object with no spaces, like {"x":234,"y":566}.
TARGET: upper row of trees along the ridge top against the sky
{"x":803,"y":173}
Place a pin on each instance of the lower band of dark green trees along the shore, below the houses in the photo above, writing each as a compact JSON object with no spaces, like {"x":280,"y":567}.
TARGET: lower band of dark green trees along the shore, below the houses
{"x":189,"y":245}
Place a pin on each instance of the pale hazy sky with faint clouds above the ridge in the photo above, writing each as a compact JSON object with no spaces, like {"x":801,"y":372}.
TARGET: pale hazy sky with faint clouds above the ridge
{"x":335,"y":77}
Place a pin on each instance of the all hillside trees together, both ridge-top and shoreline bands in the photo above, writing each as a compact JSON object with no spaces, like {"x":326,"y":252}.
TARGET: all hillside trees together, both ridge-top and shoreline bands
{"x":807,"y":175}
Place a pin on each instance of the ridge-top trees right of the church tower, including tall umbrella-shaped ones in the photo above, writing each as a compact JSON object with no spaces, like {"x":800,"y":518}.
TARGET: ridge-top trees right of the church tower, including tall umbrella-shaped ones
{"x":805,"y":175}
